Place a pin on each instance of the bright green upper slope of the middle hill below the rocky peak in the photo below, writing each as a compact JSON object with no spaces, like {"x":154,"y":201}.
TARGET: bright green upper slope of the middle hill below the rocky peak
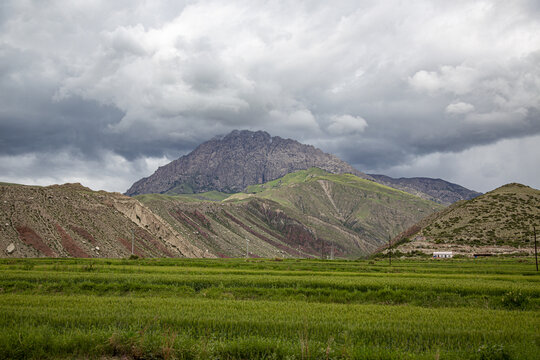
{"x":368,"y":208}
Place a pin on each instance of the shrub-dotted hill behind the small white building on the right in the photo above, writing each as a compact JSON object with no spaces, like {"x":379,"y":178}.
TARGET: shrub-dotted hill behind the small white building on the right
{"x":500,"y":221}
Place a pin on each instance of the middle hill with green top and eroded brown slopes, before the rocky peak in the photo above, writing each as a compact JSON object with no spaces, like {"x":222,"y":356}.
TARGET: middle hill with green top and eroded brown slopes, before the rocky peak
{"x":304,"y":214}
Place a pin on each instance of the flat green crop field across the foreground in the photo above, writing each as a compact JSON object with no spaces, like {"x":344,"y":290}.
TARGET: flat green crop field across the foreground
{"x":269,"y":309}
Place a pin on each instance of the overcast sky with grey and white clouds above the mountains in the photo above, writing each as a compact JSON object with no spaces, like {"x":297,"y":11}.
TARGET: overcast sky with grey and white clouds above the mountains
{"x":104,"y":92}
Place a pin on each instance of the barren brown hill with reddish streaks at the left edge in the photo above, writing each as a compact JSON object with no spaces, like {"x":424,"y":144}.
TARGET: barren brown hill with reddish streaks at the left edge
{"x":73,"y":221}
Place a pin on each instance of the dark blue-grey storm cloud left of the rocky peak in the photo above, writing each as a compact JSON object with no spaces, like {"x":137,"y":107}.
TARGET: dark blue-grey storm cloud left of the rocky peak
{"x":32,"y":119}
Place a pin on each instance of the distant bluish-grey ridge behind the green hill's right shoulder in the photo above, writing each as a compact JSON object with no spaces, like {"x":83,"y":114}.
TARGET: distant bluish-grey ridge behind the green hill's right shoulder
{"x":436,"y":190}
